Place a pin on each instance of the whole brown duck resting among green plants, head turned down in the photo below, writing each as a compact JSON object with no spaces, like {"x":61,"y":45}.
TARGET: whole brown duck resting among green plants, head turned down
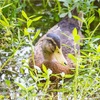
{"x":52,"y":49}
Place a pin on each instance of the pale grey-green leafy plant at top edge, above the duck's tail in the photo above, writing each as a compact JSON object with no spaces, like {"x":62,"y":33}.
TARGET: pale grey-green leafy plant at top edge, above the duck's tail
{"x":81,"y":5}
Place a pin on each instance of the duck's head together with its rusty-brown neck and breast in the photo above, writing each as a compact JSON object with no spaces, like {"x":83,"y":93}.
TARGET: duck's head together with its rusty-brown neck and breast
{"x":48,"y":51}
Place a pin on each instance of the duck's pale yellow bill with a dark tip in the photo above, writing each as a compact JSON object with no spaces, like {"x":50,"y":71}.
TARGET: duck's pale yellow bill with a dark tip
{"x":59,"y":56}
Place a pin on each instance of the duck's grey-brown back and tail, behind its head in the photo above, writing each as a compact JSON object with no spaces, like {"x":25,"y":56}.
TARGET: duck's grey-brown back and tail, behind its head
{"x":64,"y":30}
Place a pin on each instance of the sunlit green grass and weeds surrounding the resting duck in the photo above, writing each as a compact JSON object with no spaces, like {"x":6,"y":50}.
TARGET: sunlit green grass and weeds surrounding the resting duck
{"x":20,"y":26}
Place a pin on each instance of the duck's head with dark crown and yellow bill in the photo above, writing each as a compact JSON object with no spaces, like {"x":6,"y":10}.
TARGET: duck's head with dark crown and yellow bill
{"x":52,"y":50}
